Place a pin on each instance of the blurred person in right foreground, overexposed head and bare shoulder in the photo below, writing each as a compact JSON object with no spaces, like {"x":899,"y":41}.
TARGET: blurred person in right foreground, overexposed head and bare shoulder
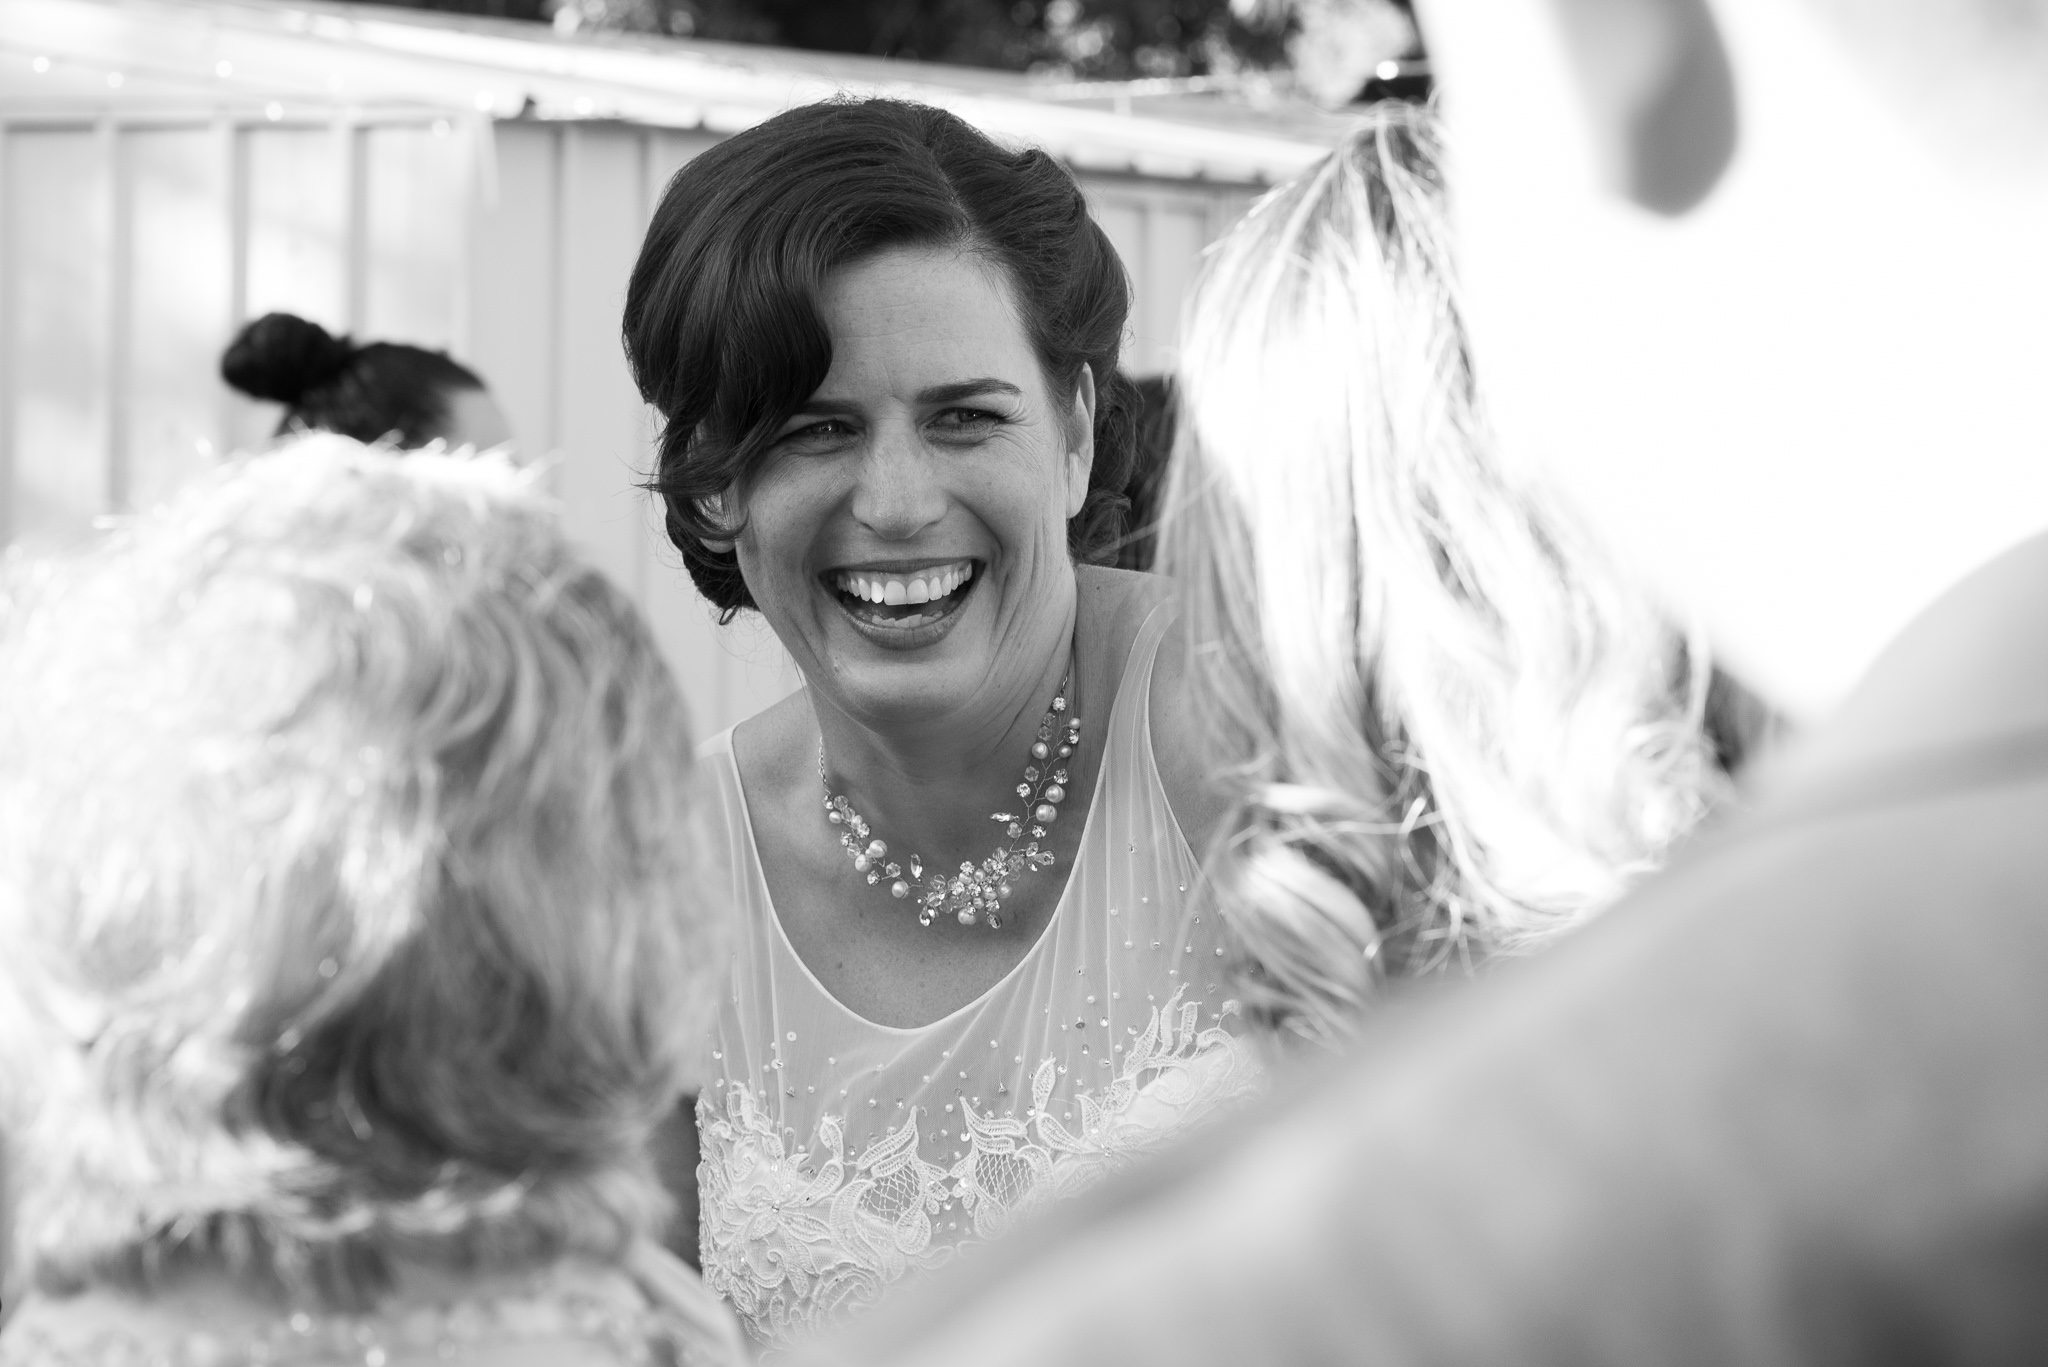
{"x":1764,"y":282}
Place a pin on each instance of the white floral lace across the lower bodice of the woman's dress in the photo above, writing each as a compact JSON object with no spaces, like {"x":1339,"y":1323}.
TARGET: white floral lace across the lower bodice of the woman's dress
{"x":796,"y":1235}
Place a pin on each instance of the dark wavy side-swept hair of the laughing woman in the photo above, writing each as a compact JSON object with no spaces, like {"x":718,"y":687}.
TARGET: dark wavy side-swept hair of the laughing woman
{"x":722,"y":321}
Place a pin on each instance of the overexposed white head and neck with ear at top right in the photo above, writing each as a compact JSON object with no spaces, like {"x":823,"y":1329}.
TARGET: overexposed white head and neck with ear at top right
{"x":1764,"y":282}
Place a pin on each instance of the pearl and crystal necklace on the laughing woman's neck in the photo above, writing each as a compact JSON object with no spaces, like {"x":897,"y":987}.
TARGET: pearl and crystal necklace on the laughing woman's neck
{"x":974,"y":893}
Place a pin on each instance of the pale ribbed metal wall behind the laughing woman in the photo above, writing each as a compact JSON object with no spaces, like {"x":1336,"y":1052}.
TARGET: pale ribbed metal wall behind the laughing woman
{"x":130,"y":253}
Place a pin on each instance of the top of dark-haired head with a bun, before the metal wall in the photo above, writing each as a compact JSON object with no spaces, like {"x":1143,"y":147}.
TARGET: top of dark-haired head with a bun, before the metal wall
{"x":366,"y":390}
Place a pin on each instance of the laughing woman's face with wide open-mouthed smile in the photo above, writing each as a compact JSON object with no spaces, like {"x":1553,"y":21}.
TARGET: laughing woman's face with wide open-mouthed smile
{"x":908,"y":534}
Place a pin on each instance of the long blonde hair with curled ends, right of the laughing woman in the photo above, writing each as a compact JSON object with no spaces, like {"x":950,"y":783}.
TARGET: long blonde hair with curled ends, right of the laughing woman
{"x":1453,"y":727}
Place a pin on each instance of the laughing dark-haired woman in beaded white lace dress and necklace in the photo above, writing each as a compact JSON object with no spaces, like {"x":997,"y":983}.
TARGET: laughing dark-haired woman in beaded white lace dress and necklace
{"x":970,"y":972}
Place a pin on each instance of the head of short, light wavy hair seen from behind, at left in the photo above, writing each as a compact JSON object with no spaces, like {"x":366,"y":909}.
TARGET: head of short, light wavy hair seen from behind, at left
{"x":341,"y":884}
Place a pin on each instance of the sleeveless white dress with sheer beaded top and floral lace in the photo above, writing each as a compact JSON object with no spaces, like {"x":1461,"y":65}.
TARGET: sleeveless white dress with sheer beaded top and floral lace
{"x":841,"y":1155}
